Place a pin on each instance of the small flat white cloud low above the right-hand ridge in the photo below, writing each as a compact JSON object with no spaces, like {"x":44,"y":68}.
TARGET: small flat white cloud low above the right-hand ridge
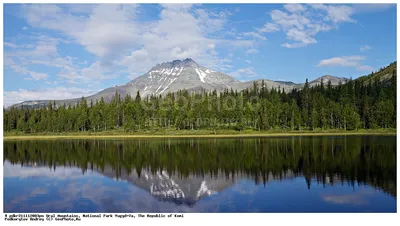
{"x":346,"y":61}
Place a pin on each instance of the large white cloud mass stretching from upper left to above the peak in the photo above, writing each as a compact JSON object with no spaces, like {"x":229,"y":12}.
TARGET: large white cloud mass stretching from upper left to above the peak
{"x":113,"y":33}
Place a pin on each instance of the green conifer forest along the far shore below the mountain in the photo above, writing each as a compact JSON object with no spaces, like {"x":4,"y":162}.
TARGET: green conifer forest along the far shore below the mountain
{"x":350,"y":106}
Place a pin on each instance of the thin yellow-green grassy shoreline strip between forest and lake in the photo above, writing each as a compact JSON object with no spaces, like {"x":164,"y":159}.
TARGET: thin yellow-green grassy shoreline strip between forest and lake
{"x":191,"y":134}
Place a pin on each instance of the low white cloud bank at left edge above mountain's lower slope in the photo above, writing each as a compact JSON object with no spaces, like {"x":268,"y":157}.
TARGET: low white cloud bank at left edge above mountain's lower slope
{"x":56,"y":93}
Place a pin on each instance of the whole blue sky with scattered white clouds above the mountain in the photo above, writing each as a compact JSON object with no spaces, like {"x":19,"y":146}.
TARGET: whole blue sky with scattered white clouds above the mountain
{"x":72,"y":50}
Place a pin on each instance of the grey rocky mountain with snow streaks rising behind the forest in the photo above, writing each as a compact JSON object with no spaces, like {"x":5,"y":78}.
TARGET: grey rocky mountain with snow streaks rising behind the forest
{"x":177,"y":75}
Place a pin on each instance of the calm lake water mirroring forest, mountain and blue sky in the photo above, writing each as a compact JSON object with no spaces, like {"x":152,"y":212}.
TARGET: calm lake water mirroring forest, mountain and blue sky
{"x":275,"y":174}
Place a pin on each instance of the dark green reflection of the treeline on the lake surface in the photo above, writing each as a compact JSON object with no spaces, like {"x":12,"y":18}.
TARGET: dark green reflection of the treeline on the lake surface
{"x":352,"y":159}
